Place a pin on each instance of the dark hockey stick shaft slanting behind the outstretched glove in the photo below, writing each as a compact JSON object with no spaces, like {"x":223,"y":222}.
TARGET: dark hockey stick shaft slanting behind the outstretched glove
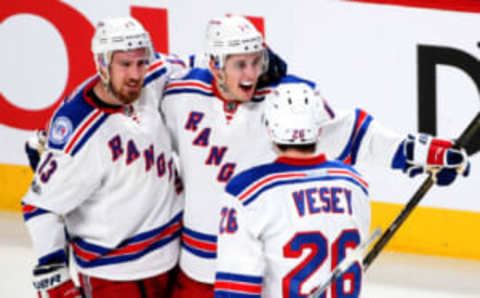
{"x":464,"y":141}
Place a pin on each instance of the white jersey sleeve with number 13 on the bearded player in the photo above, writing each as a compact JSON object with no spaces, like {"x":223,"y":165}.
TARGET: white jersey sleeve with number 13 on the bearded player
{"x":60,"y":184}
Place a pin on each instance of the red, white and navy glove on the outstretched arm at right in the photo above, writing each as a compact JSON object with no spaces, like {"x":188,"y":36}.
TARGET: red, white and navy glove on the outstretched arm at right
{"x":424,"y":153}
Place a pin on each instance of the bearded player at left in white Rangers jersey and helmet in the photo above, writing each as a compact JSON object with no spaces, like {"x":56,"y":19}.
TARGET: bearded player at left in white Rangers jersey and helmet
{"x":105,"y":183}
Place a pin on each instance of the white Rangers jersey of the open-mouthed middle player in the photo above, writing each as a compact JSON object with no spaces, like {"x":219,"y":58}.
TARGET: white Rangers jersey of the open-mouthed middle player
{"x":216,"y":139}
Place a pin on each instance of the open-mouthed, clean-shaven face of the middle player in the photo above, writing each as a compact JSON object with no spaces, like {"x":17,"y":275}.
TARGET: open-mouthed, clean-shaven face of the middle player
{"x":239,"y":76}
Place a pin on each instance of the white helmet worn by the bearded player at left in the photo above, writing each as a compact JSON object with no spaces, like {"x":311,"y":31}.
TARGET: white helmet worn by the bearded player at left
{"x":118,"y":34}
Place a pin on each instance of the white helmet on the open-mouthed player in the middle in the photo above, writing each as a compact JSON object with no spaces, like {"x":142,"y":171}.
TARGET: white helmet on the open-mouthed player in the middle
{"x":232,"y":35}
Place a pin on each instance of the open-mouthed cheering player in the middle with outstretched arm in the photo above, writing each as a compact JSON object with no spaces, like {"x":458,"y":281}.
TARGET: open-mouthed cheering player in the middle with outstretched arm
{"x":214,"y":119}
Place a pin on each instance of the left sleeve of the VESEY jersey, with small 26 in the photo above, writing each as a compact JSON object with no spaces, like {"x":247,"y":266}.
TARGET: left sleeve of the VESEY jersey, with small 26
{"x":240,"y":261}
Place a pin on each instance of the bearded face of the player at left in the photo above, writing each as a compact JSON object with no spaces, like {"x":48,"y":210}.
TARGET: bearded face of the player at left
{"x":127,"y":71}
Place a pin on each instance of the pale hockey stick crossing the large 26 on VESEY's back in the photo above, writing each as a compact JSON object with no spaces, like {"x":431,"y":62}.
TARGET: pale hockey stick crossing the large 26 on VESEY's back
{"x":352,"y":257}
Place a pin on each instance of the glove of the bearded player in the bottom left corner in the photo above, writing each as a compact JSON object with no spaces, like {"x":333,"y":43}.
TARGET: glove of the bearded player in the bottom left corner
{"x":53,"y":281}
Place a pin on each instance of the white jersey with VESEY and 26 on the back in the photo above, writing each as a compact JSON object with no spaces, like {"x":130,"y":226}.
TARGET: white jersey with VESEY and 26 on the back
{"x":286,"y":225}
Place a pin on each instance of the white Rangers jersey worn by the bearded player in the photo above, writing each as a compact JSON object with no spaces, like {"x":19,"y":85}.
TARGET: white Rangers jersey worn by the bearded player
{"x":108,"y":178}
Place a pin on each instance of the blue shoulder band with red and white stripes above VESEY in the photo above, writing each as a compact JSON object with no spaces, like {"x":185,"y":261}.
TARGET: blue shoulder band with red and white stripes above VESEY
{"x":248,"y":185}
